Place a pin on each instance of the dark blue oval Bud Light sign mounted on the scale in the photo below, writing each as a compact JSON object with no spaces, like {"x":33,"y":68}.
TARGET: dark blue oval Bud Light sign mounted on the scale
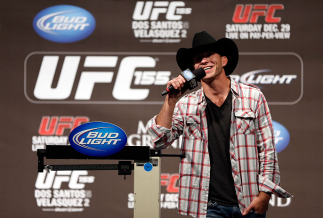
{"x":98,"y":139}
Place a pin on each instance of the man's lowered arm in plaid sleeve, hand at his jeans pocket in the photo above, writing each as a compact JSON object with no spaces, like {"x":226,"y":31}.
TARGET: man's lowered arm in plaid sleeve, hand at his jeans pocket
{"x":269,"y":176}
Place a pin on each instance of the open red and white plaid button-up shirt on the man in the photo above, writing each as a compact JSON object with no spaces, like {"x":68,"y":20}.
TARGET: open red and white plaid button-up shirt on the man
{"x":252,"y":151}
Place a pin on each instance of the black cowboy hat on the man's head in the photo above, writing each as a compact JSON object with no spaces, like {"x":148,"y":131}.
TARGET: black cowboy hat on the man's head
{"x":205,"y":42}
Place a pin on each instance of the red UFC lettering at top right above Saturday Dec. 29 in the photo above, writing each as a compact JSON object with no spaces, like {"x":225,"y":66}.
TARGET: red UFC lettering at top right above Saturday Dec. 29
{"x":250,"y":13}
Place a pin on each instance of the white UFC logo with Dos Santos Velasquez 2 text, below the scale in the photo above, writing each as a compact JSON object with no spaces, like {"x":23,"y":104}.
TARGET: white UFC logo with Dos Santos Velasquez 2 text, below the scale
{"x":63,"y":191}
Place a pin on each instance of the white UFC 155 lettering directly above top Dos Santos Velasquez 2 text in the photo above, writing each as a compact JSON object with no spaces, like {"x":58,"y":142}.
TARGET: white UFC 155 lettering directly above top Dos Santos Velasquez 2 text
{"x":152,"y":10}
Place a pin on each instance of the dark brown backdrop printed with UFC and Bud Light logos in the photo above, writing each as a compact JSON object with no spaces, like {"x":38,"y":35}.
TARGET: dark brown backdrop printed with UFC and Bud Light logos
{"x":64,"y":63}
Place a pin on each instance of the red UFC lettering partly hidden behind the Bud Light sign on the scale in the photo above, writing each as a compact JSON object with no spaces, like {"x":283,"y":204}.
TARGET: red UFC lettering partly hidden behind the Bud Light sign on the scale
{"x":56,"y":125}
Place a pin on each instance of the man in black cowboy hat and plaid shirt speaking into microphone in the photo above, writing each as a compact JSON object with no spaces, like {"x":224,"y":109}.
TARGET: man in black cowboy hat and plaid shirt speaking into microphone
{"x":230,"y":167}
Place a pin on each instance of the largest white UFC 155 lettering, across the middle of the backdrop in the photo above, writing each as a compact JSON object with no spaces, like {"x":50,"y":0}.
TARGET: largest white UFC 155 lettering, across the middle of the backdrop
{"x":124,"y":78}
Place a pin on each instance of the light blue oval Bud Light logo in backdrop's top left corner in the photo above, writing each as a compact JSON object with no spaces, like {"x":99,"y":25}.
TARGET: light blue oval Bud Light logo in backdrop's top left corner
{"x":64,"y":23}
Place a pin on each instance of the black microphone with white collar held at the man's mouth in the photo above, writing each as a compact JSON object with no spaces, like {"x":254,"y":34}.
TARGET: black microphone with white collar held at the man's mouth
{"x":191,"y":79}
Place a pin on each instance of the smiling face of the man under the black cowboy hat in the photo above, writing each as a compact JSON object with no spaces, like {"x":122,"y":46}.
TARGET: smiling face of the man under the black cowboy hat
{"x":211,"y":62}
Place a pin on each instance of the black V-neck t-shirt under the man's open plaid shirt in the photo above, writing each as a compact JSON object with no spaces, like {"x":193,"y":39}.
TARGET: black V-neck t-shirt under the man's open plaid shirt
{"x":222,"y":188}
